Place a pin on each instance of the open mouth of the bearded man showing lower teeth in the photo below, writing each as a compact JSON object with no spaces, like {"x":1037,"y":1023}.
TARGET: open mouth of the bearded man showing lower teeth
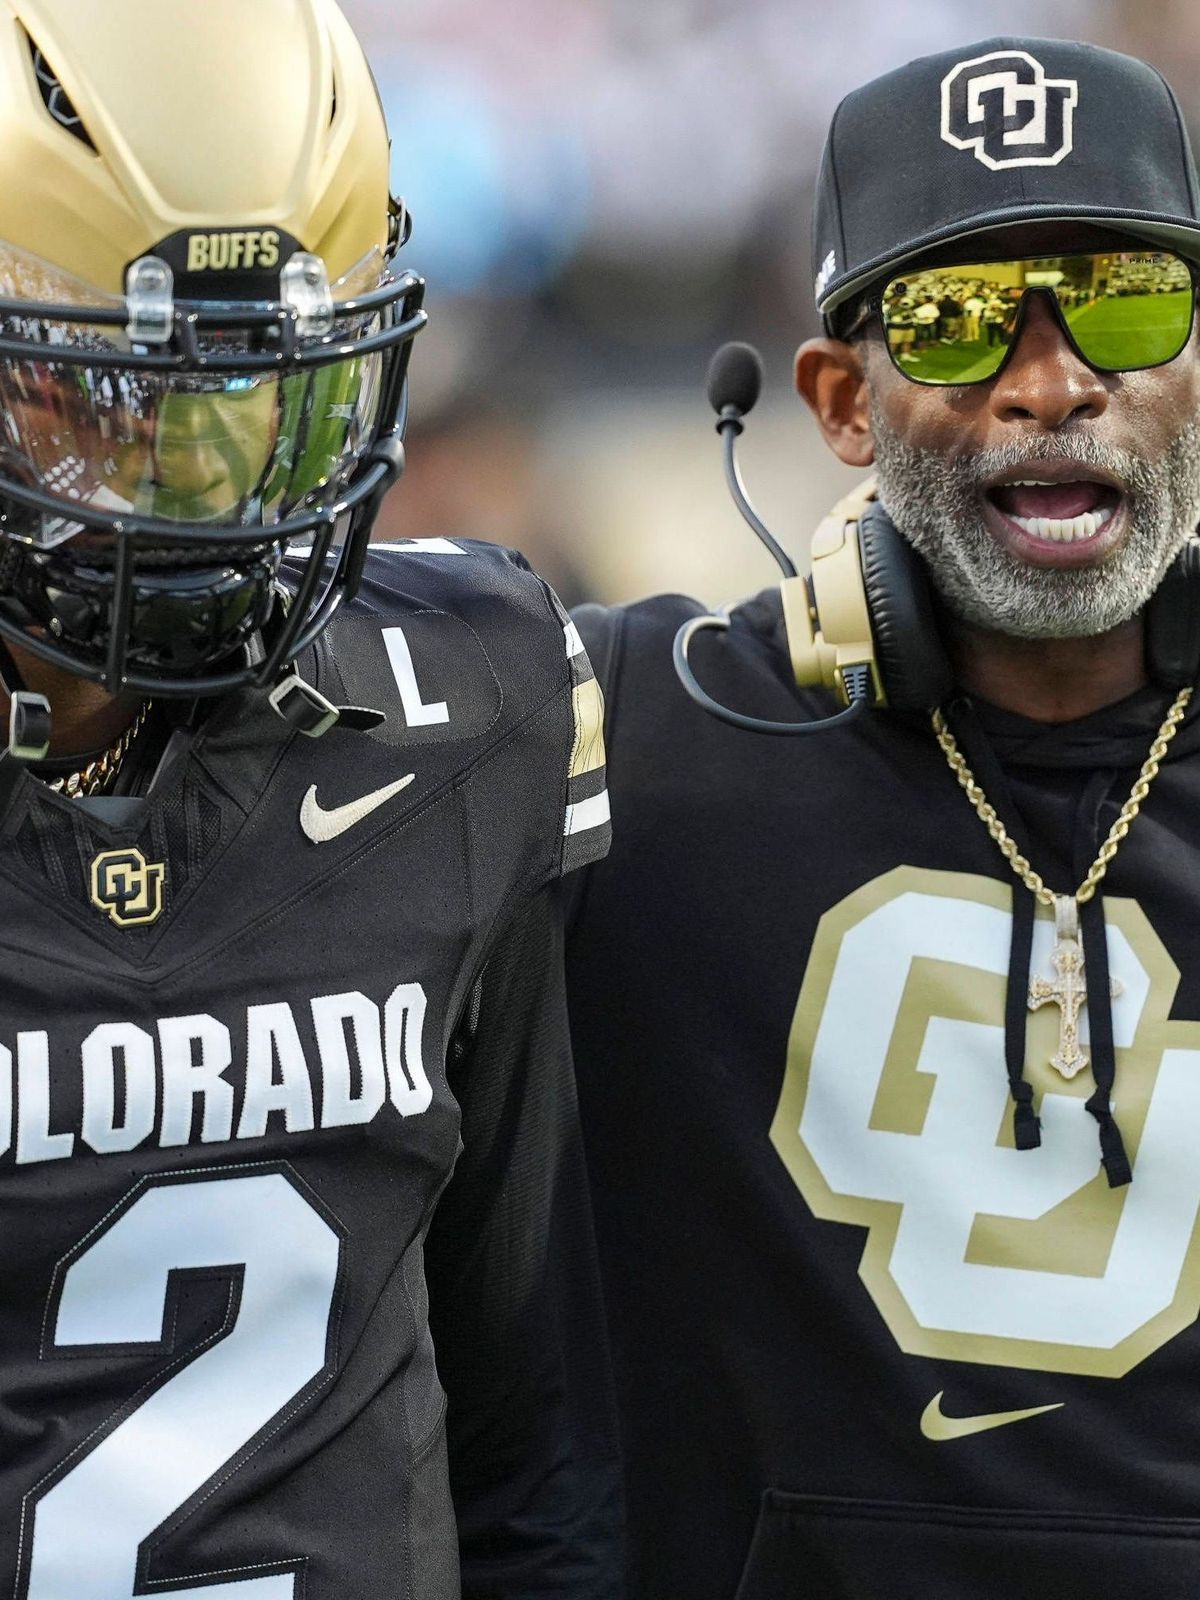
{"x":1065,"y":518}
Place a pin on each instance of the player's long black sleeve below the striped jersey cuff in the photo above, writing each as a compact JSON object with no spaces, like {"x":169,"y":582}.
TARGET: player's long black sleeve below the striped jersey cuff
{"x":514,"y":1297}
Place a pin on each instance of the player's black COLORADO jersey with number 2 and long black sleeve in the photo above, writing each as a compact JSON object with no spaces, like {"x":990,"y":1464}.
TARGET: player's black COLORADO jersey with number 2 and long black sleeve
{"x":247,"y":1026}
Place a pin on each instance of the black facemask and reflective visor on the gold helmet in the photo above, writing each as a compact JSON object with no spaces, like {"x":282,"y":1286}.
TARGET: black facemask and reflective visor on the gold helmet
{"x":159,"y":457}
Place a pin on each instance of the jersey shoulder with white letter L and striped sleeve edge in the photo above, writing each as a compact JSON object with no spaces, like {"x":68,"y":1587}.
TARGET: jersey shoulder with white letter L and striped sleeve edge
{"x":470,"y":650}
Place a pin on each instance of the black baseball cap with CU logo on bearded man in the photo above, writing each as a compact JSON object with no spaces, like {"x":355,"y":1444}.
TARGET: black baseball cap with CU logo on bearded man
{"x":1009,"y":130}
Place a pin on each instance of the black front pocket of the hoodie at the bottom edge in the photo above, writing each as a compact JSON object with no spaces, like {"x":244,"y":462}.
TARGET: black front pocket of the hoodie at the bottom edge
{"x":820,"y":1548}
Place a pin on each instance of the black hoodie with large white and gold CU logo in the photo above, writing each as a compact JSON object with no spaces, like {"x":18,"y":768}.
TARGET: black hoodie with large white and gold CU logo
{"x":866,"y":1346}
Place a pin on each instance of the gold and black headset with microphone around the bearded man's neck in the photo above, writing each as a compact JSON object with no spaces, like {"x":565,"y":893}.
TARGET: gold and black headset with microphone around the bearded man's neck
{"x":865,"y":625}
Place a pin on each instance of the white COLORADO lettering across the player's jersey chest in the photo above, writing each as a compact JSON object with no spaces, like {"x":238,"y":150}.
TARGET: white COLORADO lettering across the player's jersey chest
{"x":174,"y":1086}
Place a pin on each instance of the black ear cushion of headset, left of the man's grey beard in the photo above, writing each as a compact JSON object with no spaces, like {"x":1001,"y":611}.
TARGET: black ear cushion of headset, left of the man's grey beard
{"x":910,"y":654}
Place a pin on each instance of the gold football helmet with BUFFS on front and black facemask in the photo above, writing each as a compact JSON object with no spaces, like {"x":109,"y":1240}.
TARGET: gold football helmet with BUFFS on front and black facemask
{"x":204,"y":342}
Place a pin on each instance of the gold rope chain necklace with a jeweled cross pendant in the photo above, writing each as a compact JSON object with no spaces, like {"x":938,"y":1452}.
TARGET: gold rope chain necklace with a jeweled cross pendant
{"x":1068,"y":990}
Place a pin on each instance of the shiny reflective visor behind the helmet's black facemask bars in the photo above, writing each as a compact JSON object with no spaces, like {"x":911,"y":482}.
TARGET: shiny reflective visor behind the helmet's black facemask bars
{"x":246,"y":450}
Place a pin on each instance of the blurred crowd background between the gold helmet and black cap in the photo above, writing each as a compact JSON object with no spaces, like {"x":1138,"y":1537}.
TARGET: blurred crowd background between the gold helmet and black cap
{"x":602,"y":193}
